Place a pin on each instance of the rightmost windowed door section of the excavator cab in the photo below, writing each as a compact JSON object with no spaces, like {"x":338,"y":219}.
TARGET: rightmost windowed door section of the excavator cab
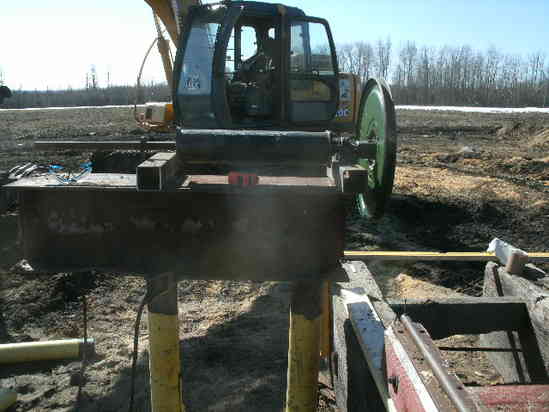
{"x":312,"y":73}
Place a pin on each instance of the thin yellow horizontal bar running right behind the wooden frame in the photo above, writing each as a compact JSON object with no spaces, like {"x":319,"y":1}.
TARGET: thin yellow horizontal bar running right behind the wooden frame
{"x":435,"y":256}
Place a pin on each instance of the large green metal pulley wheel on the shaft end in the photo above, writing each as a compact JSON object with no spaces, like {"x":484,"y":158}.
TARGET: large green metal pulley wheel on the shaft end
{"x":377,"y":124}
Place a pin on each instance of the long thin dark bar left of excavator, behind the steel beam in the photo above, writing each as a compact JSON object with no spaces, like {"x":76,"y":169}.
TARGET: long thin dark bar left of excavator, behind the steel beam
{"x":104,"y":145}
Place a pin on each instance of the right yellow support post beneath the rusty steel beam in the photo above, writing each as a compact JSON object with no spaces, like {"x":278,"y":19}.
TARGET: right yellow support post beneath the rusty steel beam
{"x":304,"y":347}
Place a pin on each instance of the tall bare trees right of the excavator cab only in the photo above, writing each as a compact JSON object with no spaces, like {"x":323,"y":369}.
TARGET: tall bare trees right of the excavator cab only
{"x":451,"y":75}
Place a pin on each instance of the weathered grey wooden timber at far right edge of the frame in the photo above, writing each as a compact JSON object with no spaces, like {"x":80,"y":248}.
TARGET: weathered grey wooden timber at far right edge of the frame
{"x":532,"y":363}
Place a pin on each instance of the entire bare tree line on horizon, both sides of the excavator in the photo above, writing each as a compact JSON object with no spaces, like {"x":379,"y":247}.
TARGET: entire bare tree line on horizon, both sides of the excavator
{"x":417,"y":74}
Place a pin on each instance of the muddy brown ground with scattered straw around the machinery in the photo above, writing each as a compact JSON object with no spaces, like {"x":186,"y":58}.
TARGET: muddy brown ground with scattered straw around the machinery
{"x":462,"y":179}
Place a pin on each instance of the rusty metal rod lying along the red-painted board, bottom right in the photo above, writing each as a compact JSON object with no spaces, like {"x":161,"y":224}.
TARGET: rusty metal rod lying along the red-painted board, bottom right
{"x":451,"y":385}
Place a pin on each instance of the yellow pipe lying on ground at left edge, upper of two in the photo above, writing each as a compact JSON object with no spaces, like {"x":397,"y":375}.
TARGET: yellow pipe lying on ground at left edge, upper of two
{"x":45,"y":350}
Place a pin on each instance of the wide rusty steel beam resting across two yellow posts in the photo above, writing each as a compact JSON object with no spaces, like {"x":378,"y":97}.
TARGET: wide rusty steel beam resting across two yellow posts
{"x":202,"y":231}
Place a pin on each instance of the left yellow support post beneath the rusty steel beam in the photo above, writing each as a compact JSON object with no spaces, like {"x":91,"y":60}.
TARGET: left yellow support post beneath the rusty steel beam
{"x":164,"y":359}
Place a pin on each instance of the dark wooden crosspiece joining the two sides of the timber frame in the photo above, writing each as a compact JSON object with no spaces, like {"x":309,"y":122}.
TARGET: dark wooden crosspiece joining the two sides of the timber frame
{"x":446,"y":317}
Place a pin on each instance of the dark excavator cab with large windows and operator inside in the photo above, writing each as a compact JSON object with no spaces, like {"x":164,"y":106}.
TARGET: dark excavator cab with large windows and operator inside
{"x":255,"y":65}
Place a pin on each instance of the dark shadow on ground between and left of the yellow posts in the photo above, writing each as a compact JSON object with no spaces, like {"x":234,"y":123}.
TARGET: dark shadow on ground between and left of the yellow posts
{"x":239,"y":365}
